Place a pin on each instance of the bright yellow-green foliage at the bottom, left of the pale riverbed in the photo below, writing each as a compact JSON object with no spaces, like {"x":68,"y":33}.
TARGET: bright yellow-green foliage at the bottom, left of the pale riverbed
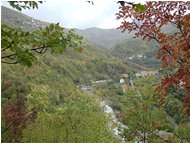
{"x":75,"y":120}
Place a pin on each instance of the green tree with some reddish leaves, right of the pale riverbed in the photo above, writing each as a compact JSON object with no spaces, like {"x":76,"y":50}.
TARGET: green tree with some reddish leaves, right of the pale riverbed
{"x":143,"y":116}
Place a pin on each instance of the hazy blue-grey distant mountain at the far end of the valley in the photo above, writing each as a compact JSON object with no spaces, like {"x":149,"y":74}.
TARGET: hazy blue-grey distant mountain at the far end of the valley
{"x":109,"y":38}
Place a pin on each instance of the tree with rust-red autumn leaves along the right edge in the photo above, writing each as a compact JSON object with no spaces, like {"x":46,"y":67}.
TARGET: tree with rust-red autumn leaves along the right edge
{"x":174,"y":50}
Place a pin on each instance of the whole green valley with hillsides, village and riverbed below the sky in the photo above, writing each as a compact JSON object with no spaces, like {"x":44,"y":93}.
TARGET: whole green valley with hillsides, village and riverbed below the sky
{"x":104,"y":92}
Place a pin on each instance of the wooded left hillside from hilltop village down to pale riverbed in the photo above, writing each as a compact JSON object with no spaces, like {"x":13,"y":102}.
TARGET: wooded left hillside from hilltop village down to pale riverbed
{"x":50,"y":93}
